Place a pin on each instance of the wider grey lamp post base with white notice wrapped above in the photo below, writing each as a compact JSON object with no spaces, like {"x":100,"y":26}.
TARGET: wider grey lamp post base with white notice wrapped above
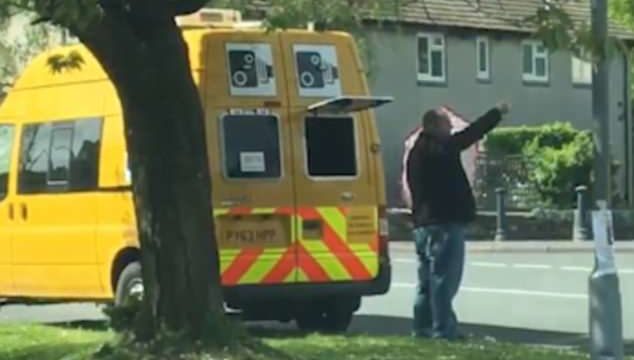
{"x":606,"y":319}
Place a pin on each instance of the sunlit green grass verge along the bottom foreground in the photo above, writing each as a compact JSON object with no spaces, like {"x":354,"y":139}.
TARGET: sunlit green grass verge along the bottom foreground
{"x":26,"y":342}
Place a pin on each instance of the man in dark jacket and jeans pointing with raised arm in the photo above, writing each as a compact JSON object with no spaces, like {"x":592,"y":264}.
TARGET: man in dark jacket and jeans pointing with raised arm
{"x":443,"y":204}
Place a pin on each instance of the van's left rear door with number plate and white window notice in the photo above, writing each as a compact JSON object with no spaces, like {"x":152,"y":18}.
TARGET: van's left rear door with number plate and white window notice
{"x":251,"y":161}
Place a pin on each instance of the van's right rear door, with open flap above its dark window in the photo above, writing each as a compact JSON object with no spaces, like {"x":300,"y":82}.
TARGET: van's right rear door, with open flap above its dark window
{"x":337,"y":198}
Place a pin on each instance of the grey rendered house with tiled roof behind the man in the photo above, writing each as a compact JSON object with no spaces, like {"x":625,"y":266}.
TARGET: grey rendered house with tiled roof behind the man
{"x":471,"y":53}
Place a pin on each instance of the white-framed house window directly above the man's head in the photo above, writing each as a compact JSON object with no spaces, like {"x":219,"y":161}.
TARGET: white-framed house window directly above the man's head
{"x":431,"y":58}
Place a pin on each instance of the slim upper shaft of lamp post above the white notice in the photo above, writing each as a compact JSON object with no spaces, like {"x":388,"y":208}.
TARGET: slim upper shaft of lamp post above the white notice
{"x":601,"y":102}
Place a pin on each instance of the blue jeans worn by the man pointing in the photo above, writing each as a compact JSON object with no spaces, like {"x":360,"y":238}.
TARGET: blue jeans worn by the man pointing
{"x":441,"y":255}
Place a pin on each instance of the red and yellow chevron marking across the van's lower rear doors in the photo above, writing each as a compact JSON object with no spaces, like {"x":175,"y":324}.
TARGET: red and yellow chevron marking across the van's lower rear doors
{"x":332,"y":257}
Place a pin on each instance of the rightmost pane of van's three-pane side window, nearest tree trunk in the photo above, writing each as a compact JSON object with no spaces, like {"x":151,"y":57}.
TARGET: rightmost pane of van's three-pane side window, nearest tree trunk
{"x":84,"y":169}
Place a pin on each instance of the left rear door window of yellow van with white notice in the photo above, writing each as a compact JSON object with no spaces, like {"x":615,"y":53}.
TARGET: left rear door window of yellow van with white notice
{"x":251,"y":146}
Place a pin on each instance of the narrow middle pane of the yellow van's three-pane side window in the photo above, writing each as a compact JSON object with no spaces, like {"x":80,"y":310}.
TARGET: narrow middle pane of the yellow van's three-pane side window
{"x":59,"y":156}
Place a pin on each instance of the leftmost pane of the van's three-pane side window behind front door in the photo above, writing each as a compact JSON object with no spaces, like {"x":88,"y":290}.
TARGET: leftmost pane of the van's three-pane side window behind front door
{"x":36,"y":140}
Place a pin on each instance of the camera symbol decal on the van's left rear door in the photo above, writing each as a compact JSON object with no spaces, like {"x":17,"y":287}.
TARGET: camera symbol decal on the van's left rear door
{"x":251,"y":70}
